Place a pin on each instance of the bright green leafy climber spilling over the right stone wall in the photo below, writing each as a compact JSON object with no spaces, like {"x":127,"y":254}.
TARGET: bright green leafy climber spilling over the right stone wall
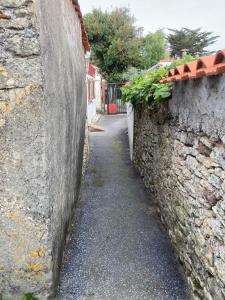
{"x":144,"y":91}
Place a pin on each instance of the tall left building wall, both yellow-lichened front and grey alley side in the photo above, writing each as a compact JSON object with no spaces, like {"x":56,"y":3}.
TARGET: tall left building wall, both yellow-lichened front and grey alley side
{"x":42,"y":121}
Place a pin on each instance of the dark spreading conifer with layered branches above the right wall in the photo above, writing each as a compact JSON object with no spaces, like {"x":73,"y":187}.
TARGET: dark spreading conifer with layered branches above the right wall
{"x":191,"y":41}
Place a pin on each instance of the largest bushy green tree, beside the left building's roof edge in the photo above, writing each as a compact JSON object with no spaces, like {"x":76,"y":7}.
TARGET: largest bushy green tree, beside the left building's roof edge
{"x":115,"y":41}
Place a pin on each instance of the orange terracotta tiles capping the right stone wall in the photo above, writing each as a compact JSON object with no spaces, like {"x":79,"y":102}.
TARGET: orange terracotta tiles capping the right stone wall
{"x":210,"y":65}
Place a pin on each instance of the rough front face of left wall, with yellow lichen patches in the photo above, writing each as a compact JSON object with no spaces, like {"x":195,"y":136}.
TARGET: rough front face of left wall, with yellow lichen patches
{"x":25,"y":263}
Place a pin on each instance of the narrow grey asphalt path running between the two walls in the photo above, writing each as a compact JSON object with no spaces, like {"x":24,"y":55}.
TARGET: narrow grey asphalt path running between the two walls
{"x":118,"y":250}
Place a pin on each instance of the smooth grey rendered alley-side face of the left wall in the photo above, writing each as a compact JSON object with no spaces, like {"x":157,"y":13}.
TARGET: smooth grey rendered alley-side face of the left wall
{"x":65,"y":95}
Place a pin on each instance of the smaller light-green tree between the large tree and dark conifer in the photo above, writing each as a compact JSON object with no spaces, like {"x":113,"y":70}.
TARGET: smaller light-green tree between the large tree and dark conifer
{"x":153,"y":49}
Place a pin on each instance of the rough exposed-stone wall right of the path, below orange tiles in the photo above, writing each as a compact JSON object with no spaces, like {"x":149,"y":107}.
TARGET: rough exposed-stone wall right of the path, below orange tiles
{"x":180,"y":152}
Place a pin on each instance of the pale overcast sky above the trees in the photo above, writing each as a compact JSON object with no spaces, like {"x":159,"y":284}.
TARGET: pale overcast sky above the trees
{"x":155,"y":14}
